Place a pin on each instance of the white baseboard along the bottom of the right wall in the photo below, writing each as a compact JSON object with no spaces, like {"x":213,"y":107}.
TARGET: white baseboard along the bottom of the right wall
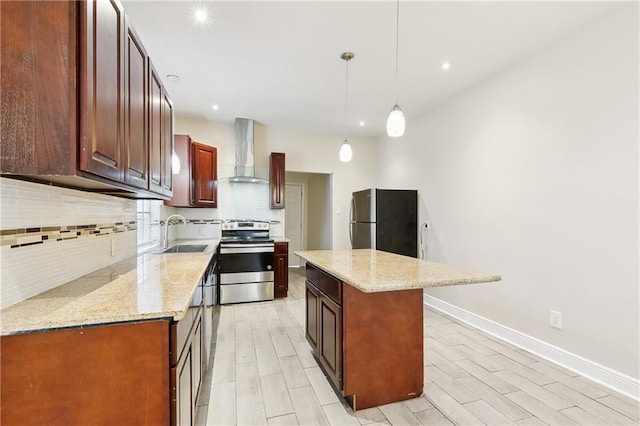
{"x":606,"y":376}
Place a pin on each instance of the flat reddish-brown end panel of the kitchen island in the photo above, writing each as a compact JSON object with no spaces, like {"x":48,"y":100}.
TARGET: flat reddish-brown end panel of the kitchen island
{"x":383,"y":346}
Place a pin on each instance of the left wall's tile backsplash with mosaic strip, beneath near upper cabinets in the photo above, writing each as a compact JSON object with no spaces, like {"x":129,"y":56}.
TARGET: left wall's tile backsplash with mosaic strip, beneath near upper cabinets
{"x":51,"y":235}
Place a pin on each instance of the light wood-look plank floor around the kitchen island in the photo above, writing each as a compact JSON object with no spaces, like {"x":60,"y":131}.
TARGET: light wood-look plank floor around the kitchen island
{"x":264,"y":373}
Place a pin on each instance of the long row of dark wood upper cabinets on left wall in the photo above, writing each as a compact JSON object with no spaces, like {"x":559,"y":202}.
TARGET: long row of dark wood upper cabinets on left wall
{"x":78,"y":100}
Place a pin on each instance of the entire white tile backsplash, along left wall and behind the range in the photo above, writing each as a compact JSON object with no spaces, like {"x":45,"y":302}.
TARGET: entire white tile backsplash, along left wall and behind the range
{"x":51,"y":235}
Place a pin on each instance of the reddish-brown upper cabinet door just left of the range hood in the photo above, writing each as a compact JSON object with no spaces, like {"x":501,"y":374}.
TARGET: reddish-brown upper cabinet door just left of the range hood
{"x":204,"y":175}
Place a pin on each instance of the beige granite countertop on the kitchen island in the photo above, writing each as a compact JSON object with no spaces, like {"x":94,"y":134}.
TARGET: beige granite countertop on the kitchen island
{"x":373,"y":271}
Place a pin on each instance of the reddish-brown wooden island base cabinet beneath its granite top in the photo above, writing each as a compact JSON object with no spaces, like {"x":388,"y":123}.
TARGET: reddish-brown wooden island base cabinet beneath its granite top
{"x":370,"y":345}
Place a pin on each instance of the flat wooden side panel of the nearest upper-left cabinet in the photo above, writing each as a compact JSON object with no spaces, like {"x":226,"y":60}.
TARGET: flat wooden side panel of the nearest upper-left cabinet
{"x":38,"y":86}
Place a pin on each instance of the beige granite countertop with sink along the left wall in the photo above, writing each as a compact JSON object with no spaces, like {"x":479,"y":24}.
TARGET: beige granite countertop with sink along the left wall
{"x":147,"y":286}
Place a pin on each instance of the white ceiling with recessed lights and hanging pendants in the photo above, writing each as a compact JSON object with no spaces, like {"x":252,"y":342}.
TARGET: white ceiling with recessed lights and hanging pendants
{"x":279,"y":62}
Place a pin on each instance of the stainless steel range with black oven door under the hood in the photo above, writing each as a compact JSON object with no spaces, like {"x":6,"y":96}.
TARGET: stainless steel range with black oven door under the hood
{"x":245,"y":262}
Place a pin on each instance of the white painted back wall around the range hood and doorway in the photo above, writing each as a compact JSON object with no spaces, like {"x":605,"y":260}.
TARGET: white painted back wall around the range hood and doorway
{"x":305,"y":152}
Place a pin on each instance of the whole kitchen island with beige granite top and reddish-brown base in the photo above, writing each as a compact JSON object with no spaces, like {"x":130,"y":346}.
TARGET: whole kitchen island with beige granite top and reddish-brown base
{"x":364,"y":319}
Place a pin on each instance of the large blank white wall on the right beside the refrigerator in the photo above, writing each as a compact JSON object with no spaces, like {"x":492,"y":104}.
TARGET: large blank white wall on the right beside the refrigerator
{"x":534,"y":175}
